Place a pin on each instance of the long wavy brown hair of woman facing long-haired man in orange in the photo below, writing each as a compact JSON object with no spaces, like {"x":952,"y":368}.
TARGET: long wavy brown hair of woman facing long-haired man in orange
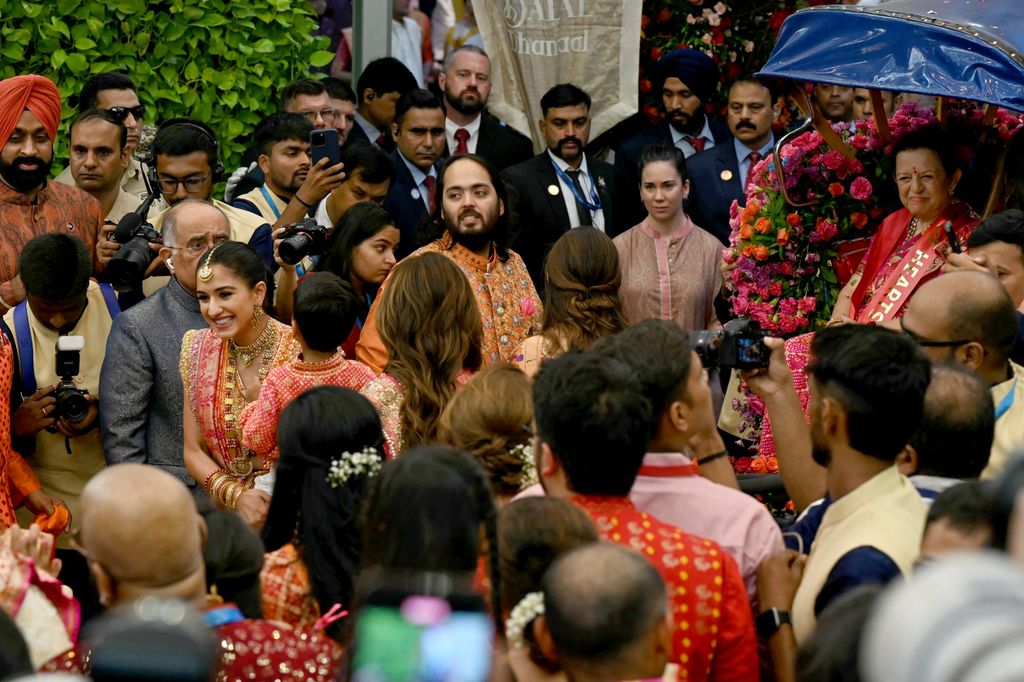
{"x":431,"y":327}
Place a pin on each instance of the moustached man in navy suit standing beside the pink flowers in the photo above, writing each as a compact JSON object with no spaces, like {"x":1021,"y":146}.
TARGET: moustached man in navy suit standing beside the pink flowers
{"x":720,"y":176}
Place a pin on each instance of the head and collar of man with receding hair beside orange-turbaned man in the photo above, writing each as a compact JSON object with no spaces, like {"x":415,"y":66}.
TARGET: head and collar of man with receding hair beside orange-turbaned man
{"x":100,"y":155}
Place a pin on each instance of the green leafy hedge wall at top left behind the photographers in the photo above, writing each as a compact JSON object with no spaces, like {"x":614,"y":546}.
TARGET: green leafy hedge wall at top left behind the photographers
{"x":224,"y":63}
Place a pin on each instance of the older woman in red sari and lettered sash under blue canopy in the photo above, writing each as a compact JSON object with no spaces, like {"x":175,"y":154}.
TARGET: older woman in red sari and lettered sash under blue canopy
{"x":912,"y":244}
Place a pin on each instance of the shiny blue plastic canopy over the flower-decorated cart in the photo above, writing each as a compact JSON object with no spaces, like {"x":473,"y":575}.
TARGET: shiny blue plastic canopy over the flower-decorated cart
{"x":969,"y":50}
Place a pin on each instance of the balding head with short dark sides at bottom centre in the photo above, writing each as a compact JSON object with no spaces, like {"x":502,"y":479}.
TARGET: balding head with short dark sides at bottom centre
{"x":606,"y":607}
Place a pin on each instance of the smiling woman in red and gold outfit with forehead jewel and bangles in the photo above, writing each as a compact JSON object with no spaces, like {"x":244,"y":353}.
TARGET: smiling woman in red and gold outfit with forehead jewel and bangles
{"x":223,"y":369}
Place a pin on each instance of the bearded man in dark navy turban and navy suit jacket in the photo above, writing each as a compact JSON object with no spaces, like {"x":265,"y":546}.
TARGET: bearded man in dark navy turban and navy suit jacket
{"x":688,"y":79}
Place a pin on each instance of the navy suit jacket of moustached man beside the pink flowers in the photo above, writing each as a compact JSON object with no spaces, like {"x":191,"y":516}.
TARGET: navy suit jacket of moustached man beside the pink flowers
{"x":711,"y":193}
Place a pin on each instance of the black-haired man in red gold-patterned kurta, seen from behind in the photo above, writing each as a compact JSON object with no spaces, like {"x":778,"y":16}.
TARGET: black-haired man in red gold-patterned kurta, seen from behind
{"x":592,"y":429}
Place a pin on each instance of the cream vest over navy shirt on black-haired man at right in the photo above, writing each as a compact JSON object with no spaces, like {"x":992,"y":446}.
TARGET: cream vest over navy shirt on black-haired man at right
{"x":886,"y":514}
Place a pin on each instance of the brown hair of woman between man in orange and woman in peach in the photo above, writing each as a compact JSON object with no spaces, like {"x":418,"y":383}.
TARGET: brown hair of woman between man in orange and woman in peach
{"x":581,"y":300}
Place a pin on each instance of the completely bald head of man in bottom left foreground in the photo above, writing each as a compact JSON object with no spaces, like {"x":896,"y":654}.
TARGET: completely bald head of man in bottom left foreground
{"x":141,"y":526}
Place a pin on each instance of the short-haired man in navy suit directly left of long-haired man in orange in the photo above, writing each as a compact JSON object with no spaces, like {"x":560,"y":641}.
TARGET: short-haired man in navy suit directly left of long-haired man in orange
{"x":419,"y":136}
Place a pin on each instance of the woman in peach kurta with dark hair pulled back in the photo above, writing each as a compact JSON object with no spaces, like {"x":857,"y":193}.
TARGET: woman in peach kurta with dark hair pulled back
{"x":671,"y":268}
